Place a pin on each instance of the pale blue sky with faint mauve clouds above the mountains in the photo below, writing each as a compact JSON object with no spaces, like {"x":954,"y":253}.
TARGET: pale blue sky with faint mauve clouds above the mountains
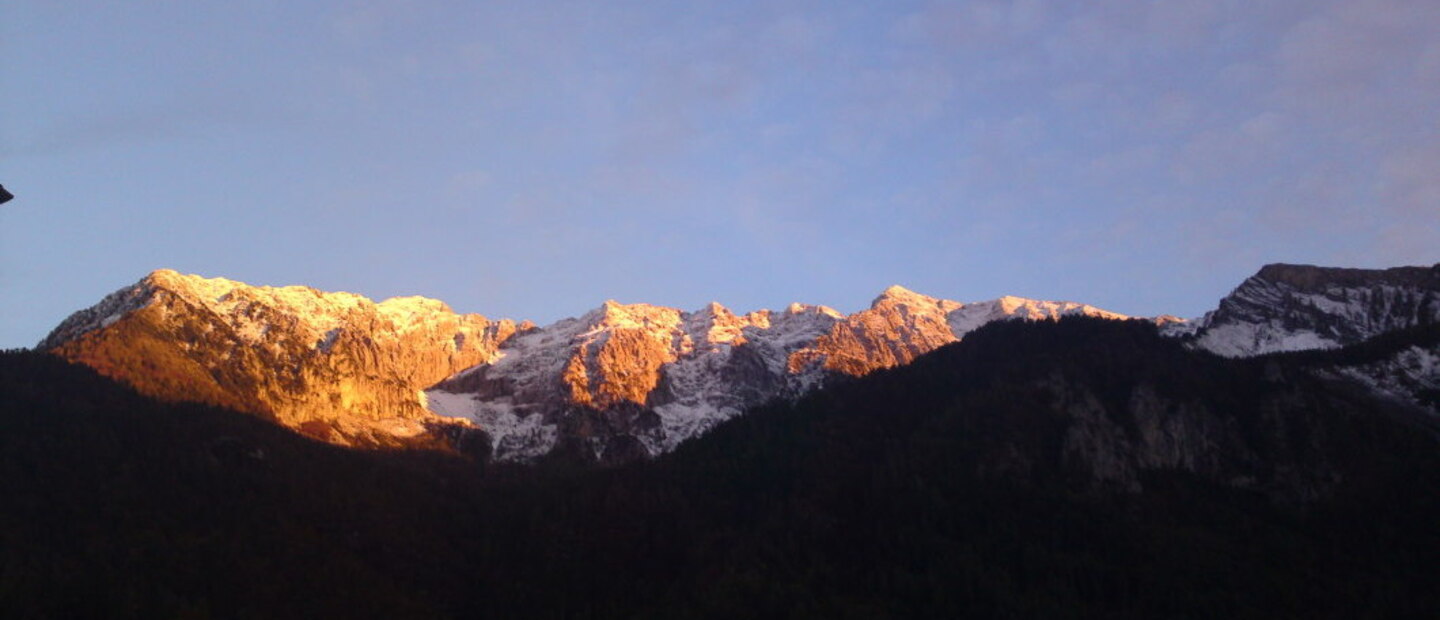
{"x":531,"y":160}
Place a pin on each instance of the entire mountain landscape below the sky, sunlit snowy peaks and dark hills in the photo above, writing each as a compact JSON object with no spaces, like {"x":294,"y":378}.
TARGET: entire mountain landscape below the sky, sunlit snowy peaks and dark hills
{"x":917,"y":460}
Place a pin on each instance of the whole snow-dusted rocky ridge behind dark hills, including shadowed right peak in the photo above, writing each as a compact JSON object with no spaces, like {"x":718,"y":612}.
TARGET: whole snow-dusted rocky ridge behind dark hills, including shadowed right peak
{"x":634,"y":380}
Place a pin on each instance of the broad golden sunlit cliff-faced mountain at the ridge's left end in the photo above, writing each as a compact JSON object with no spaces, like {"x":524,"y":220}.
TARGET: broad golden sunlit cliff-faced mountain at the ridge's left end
{"x":333,"y":366}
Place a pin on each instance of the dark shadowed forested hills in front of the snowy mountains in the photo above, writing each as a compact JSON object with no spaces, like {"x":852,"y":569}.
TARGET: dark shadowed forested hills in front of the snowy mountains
{"x":1055,"y":470}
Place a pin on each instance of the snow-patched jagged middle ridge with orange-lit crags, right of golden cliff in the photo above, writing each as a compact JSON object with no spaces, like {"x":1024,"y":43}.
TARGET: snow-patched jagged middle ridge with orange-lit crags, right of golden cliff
{"x":630,"y":380}
